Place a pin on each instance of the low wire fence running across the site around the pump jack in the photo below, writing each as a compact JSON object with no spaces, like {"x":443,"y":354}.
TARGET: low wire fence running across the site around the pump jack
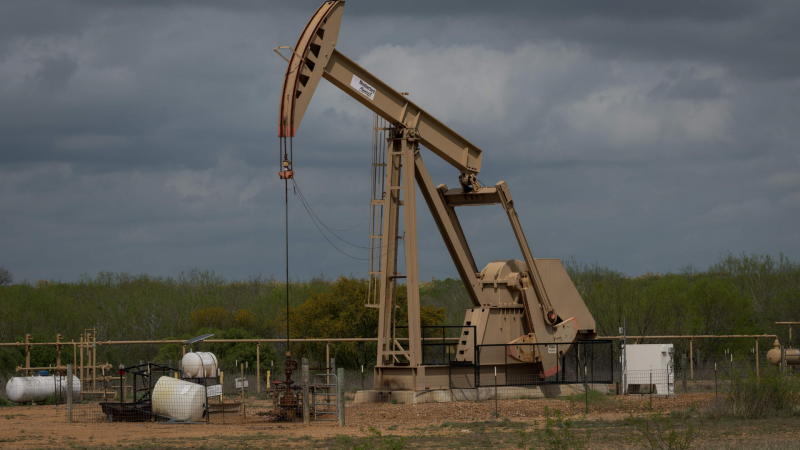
{"x":158,"y":392}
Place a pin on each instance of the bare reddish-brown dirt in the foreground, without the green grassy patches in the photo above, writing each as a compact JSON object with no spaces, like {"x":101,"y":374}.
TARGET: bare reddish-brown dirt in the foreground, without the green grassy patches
{"x":45,"y":426}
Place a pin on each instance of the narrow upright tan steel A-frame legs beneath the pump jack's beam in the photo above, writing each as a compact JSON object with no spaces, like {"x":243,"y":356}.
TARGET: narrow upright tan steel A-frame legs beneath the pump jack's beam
{"x":399,"y":178}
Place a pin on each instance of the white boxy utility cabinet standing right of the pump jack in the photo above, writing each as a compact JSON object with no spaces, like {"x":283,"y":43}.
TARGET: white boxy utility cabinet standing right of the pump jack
{"x":650,"y":369}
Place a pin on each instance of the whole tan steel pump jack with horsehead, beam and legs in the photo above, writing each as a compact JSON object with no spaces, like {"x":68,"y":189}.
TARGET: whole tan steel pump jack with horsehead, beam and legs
{"x":515,"y":302}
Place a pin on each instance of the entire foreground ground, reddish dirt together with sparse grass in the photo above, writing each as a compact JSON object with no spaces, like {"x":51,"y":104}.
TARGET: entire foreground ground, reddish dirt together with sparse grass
{"x":440,"y":425}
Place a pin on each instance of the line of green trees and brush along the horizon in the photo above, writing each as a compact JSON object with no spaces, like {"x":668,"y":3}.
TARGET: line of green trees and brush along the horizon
{"x":739,"y":294}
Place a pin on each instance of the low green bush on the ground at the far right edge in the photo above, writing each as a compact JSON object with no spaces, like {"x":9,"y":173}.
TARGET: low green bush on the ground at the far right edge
{"x":769,"y":395}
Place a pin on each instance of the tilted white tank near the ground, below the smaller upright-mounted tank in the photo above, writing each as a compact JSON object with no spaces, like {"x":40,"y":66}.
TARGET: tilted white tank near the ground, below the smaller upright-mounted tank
{"x":178,"y":399}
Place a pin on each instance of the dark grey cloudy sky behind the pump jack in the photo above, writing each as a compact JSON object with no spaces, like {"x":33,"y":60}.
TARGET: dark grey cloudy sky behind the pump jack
{"x":141,"y":136}
